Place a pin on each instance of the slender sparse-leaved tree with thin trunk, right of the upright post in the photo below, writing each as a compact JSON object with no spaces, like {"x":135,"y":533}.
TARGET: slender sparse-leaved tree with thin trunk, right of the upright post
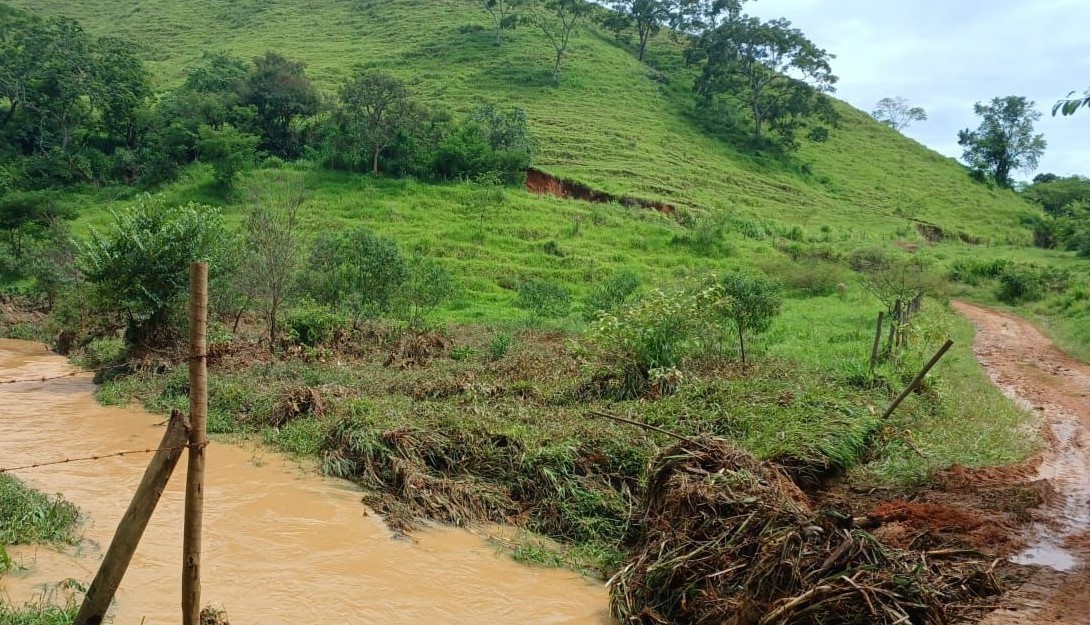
{"x":274,"y":243}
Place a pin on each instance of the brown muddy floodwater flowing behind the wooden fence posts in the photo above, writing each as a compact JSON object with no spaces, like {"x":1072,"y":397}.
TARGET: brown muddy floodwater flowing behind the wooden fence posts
{"x":282,"y":546}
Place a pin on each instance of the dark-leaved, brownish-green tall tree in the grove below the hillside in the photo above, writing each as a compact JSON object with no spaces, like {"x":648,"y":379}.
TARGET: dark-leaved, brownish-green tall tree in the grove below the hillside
{"x":281,"y":92}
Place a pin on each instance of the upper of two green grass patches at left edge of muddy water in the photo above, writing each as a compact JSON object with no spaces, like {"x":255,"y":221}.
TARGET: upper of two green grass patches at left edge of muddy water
{"x":29,"y":516}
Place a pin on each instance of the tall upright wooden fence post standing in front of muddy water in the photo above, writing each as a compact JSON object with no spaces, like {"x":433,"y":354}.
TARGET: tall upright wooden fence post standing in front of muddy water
{"x":199,"y":414}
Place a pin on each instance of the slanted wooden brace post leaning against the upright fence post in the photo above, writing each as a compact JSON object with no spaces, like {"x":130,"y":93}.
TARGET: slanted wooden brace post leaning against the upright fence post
{"x":134,"y":524}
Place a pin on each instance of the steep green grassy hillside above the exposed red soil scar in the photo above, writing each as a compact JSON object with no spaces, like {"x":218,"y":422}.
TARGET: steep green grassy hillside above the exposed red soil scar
{"x":612,"y":123}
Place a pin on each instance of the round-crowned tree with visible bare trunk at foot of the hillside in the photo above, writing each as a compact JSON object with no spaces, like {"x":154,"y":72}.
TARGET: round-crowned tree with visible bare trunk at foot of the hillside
{"x":374,"y":109}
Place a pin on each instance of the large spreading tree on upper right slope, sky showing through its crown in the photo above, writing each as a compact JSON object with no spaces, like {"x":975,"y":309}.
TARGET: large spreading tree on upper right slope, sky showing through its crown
{"x":772,"y":70}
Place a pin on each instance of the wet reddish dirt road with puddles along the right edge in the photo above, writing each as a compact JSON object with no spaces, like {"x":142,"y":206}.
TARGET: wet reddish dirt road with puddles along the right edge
{"x":1031,"y":369}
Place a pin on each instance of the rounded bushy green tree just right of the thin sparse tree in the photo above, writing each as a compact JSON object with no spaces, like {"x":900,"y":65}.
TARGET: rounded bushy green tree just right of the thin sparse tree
{"x":358,"y":271}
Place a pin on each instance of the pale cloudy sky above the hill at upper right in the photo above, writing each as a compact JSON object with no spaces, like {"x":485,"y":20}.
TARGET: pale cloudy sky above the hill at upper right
{"x":947,"y":55}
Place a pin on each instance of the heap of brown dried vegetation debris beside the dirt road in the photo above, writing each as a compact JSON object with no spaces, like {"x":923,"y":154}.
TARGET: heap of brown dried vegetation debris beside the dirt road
{"x":723,"y":538}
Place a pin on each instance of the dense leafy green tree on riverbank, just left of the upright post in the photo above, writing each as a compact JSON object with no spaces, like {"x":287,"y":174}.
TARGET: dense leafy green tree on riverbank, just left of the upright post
{"x":140,"y":267}
